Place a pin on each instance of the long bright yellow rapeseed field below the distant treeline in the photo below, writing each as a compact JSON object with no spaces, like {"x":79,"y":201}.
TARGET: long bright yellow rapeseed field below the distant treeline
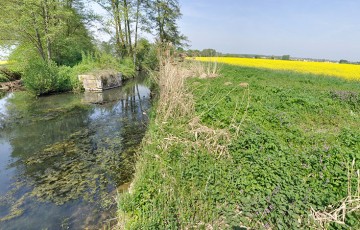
{"x":347,"y":71}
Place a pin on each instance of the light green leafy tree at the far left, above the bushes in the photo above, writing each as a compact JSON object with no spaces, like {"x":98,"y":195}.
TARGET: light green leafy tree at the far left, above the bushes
{"x":44,"y":26}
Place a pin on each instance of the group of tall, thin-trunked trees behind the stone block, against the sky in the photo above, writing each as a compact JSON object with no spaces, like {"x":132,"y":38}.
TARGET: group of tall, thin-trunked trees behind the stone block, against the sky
{"x":130,"y":17}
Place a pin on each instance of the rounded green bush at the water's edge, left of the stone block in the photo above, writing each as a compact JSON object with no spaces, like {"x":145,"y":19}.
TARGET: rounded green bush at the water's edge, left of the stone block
{"x":42,"y":78}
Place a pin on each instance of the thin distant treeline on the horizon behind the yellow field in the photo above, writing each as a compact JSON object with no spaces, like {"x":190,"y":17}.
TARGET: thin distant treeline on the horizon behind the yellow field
{"x":214,"y":53}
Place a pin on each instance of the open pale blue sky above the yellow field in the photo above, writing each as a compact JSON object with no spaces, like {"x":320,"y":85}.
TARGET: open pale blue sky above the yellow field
{"x":325,"y":29}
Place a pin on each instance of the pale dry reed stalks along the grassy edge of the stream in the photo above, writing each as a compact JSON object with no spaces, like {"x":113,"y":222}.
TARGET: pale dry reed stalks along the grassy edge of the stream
{"x":176,"y":102}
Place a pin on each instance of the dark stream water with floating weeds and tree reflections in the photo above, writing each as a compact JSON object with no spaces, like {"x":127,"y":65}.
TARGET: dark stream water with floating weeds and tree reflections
{"x":63,"y":156}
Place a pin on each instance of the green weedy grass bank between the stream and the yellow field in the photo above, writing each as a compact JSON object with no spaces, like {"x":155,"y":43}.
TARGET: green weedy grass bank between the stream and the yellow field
{"x":251,"y":148}
